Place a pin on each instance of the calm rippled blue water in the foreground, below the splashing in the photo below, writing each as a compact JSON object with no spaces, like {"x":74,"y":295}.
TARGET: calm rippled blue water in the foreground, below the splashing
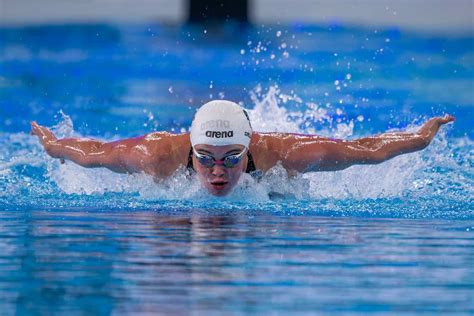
{"x":146,"y":261}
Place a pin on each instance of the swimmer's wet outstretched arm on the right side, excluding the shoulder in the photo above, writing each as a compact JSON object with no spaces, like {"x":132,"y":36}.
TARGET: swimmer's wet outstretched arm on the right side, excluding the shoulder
{"x":323,"y":154}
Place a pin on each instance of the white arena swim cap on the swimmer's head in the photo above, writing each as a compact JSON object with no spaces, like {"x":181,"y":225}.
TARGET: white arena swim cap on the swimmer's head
{"x":221,"y":123}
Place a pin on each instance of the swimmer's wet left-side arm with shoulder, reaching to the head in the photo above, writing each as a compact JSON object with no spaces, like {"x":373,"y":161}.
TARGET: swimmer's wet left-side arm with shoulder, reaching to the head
{"x":131,"y":155}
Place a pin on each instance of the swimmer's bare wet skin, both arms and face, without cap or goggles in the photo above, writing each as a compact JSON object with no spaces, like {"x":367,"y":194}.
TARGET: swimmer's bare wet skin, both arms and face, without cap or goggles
{"x":160,"y":154}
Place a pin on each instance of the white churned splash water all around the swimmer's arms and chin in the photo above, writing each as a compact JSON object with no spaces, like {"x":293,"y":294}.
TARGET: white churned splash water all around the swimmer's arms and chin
{"x":413,"y":175}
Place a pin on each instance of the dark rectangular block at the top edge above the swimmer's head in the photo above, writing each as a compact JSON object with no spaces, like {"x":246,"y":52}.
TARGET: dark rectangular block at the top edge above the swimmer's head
{"x":217,"y":11}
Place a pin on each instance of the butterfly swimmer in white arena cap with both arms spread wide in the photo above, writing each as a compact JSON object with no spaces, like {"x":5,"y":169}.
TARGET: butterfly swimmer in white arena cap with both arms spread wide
{"x":222,"y":145}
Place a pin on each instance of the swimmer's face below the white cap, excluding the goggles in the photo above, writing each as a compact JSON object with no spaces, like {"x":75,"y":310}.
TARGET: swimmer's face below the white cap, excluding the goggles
{"x":218,"y":179}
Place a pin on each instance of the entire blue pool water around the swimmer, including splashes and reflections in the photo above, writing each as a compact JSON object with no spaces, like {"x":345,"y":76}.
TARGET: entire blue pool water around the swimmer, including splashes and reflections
{"x":390,"y":238}
